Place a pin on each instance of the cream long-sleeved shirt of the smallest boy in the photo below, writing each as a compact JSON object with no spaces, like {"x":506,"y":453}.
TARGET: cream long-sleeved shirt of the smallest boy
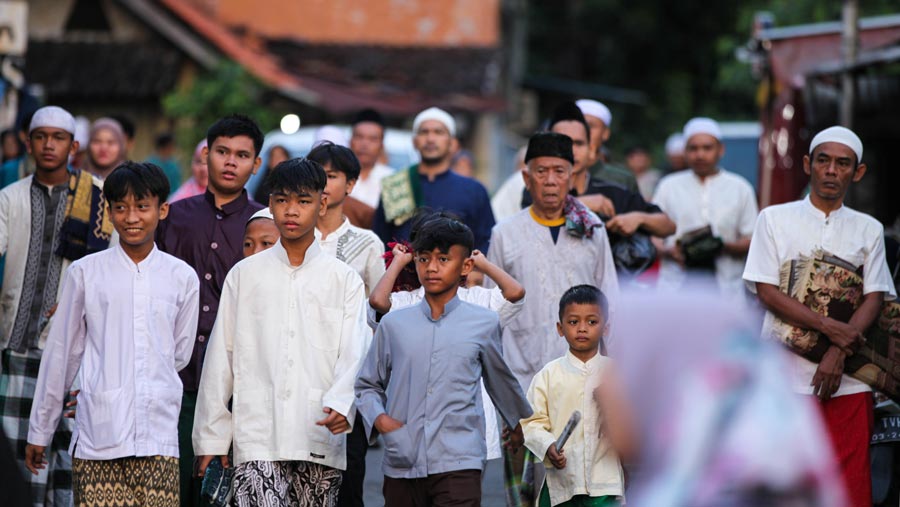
{"x":559,"y":389}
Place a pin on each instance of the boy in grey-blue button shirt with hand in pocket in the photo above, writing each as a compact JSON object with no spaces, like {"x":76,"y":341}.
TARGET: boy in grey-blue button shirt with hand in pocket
{"x":419,"y":385}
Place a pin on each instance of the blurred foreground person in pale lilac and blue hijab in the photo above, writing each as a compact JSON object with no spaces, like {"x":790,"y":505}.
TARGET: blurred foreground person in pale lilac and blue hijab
{"x":704,"y":408}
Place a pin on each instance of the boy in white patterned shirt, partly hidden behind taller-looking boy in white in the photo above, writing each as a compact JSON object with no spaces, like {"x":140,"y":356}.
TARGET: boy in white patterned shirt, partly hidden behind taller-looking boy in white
{"x":358,"y":247}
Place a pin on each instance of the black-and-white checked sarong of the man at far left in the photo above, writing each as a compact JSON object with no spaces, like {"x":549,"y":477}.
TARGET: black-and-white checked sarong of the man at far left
{"x":53,"y":485}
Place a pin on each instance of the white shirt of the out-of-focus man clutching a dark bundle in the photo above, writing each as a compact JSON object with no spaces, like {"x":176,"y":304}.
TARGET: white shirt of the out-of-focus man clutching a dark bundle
{"x":724,"y":201}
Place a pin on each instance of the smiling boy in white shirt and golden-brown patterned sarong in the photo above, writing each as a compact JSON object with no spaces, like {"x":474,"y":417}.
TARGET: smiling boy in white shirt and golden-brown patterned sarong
{"x":125,"y":325}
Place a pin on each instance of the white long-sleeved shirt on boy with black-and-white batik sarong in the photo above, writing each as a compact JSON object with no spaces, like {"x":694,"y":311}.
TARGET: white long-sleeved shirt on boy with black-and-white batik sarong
{"x":288,"y":342}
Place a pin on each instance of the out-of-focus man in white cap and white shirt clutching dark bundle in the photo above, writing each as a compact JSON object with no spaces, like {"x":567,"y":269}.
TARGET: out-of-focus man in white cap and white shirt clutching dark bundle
{"x":706,"y":196}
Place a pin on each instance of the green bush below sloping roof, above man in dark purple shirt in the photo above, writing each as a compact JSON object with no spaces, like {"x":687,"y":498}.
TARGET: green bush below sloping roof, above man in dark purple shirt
{"x":225,"y":90}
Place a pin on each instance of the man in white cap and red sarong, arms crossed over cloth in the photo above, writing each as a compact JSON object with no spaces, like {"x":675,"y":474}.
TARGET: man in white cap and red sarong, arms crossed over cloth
{"x":818,"y":225}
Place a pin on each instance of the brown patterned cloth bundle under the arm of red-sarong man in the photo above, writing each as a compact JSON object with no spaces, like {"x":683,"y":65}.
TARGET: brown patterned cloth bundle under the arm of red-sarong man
{"x":833,"y":287}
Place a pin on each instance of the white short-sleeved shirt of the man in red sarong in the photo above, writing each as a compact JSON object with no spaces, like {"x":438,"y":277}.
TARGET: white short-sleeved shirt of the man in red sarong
{"x":787,"y":231}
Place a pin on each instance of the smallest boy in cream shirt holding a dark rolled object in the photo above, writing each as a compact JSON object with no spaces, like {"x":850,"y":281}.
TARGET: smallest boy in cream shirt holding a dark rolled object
{"x":586,"y":472}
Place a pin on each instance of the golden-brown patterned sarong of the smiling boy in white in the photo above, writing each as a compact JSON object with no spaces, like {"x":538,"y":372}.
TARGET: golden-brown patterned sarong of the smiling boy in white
{"x":149,"y":481}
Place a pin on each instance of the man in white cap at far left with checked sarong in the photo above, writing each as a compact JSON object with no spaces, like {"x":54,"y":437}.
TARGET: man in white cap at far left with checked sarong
{"x":43,"y":228}
